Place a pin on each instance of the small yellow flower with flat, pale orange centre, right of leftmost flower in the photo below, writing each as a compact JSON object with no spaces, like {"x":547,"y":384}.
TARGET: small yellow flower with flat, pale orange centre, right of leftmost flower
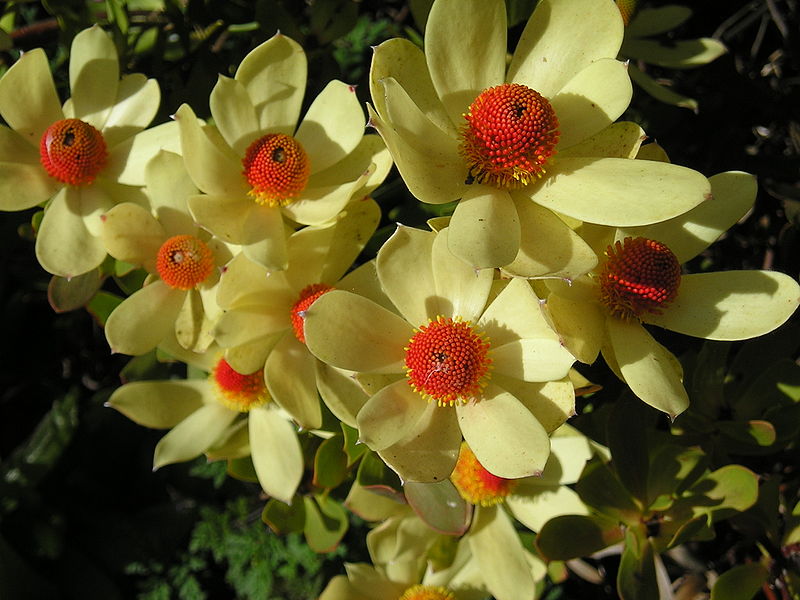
{"x":183,"y":262}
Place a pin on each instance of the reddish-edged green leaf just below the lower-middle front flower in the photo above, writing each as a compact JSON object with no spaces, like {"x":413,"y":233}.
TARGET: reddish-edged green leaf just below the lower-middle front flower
{"x":439,"y":505}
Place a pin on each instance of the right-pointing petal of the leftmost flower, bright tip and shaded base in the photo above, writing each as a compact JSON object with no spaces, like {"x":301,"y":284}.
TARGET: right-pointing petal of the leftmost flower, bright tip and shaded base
{"x":127,"y":160}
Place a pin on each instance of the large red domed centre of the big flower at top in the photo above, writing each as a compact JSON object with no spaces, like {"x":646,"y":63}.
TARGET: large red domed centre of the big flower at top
{"x":510,"y":133}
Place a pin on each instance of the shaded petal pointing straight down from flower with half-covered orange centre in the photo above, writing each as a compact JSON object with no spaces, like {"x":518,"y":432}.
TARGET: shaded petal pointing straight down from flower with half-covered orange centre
{"x":290,"y":374}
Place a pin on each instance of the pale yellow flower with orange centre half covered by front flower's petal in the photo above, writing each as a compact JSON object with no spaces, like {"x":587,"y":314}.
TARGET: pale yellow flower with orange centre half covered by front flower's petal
{"x":262,"y":324}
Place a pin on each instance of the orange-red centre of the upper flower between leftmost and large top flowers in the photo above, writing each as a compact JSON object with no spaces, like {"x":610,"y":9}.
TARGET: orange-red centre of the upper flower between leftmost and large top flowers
{"x":277,"y":169}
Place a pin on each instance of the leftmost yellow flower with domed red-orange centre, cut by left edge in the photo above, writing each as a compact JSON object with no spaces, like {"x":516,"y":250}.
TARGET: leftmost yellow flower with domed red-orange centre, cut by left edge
{"x":83,"y":157}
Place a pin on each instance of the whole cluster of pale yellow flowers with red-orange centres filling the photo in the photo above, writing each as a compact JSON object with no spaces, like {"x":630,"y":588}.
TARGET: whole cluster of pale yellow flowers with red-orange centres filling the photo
{"x":452,"y":351}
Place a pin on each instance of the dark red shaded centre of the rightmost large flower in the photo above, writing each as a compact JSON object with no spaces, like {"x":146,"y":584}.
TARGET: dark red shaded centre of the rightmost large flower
{"x":639,"y":276}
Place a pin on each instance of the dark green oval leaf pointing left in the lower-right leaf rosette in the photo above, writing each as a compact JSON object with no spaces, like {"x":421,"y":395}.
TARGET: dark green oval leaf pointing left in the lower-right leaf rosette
{"x":573,"y":536}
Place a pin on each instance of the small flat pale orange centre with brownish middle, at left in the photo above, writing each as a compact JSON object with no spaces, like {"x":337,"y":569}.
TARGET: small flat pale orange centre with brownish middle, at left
{"x":183,"y":261}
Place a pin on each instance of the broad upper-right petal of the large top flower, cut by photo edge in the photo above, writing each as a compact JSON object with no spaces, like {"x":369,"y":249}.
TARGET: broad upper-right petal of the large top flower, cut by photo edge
{"x":561,"y":38}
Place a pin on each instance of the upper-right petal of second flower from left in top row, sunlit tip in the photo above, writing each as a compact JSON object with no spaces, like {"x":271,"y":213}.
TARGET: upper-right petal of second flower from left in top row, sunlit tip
{"x":332,"y":127}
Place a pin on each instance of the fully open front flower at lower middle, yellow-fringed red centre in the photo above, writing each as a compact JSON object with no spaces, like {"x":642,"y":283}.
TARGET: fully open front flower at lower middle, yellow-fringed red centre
{"x":461,"y":355}
